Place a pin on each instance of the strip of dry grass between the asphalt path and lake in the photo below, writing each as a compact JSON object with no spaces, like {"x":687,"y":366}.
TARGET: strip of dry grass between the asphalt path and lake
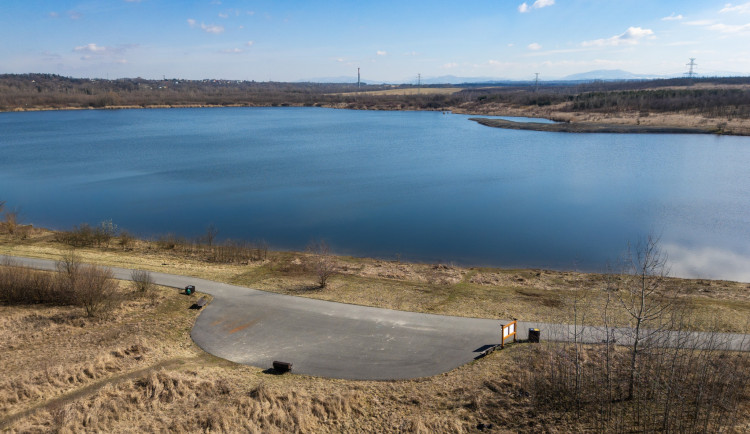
{"x":529,"y":295}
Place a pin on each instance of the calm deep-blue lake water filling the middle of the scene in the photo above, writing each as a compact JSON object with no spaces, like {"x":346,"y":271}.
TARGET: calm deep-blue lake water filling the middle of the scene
{"x":421,"y":186}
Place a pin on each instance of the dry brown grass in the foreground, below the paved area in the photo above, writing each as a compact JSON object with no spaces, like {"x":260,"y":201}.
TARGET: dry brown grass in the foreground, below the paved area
{"x":139,"y":372}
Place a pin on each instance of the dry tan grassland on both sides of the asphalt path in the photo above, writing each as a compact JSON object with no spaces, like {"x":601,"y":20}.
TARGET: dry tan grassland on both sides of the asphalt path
{"x":139,"y":371}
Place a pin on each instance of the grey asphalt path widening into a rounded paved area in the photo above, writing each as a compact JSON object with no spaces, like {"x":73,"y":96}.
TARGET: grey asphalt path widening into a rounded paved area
{"x":339,"y":340}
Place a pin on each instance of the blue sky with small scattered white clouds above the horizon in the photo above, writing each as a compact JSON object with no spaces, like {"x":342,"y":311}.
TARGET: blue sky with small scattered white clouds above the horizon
{"x":389,"y":40}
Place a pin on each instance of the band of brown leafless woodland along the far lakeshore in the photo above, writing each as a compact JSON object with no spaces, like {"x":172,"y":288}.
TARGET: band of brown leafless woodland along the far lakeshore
{"x":713,"y":97}
